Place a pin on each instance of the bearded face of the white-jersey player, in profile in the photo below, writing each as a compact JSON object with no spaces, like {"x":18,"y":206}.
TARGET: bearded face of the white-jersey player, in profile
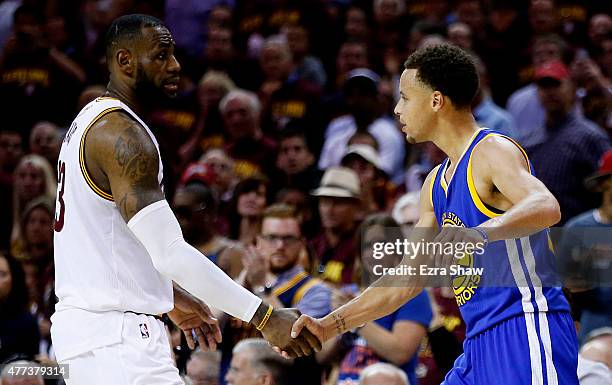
{"x":157,"y":70}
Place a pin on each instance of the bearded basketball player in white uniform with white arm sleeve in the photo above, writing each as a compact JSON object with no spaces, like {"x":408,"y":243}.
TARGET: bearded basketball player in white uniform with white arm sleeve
{"x":118,"y":246}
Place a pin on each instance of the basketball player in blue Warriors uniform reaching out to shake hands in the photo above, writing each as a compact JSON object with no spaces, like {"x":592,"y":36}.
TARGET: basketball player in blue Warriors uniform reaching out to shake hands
{"x":484,"y":192}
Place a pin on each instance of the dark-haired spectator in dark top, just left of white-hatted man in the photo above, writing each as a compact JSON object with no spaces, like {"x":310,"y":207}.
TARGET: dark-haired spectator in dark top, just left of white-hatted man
{"x":295,"y":162}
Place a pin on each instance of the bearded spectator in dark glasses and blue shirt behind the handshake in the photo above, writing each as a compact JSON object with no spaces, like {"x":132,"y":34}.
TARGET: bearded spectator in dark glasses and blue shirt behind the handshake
{"x":272,"y":268}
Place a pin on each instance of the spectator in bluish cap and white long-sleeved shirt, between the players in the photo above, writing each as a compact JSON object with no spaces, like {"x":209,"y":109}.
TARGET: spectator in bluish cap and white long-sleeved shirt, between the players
{"x":362,"y":99}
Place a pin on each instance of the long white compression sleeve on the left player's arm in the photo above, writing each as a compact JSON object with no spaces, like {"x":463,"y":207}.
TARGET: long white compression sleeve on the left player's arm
{"x":156,"y":227}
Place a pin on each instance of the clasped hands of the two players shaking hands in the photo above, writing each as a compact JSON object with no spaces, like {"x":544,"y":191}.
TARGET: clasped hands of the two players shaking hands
{"x":289,"y":333}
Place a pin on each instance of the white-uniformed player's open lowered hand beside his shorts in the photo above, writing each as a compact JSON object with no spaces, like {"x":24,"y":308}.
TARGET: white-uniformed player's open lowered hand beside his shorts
{"x":193,"y":316}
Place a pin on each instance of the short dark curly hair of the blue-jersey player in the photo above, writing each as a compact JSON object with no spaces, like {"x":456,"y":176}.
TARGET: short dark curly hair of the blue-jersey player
{"x":448,"y":69}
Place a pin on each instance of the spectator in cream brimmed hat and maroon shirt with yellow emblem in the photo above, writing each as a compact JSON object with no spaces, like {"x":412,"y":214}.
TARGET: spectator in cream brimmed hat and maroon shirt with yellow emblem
{"x":339,"y":204}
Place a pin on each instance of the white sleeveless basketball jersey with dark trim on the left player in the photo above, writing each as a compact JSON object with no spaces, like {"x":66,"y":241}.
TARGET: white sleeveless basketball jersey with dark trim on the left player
{"x":99,"y":264}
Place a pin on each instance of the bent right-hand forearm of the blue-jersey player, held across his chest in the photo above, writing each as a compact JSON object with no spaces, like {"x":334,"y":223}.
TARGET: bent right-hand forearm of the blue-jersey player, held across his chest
{"x":534,"y":213}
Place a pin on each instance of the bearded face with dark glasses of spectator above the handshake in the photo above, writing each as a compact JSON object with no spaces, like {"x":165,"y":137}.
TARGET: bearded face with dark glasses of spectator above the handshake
{"x":280,"y":241}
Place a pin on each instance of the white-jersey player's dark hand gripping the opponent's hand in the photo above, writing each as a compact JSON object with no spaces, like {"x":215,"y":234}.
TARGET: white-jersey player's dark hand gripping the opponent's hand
{"x":277,"y":332}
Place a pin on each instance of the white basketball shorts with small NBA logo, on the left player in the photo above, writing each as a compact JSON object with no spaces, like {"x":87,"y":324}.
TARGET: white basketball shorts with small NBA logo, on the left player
{"x":142,"y":358}
